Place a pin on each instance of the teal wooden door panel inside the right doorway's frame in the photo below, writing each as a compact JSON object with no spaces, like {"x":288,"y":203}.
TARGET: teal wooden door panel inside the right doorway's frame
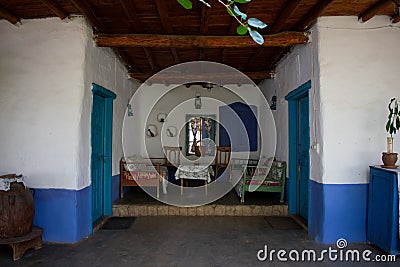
{"x":303,"y":156}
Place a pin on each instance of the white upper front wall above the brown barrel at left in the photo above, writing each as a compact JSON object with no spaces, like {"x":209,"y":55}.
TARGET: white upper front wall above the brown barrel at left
{"x":41,"y":78}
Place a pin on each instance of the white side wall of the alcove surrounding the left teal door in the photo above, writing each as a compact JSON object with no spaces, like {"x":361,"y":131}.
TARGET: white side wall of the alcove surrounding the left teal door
{"x":104,"y":68}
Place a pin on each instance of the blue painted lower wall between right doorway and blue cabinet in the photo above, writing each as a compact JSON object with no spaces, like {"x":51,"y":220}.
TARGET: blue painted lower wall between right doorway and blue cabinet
{"x":338,"y":211}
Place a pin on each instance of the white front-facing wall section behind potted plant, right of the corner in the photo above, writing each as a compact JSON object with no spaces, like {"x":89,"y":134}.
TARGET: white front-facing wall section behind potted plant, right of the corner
{"x":359,"y":75}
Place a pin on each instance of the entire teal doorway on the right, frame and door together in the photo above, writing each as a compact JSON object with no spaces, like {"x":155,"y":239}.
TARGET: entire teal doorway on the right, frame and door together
{"x":299,"y":150}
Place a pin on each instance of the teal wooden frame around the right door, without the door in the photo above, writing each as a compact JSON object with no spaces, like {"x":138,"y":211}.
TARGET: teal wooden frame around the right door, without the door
{"x":293,"y":190}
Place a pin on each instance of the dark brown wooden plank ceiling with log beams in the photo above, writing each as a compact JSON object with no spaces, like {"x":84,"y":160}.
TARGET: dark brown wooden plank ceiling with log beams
{"x":150,"y":35}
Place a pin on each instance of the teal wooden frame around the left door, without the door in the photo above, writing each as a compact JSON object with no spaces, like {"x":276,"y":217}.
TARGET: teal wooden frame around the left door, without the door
{"x":107,"y":135}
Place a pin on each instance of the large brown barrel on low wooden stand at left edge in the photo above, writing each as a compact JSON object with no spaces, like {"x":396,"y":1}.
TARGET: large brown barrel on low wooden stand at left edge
{"x":16,"y":211}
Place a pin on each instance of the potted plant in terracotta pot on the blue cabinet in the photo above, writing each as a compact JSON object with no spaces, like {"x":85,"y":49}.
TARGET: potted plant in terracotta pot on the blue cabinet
{"x":389,"y":158}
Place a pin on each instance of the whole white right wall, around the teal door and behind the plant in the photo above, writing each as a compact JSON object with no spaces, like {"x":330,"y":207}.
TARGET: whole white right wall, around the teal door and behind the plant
{"x":354,"y":72}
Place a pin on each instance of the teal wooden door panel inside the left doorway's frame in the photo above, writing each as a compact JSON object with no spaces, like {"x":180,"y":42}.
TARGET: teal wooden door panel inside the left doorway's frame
{"x":97,"y":160}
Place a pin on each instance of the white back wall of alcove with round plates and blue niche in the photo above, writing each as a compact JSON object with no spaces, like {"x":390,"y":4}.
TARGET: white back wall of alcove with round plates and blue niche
{"x":173,"y":103}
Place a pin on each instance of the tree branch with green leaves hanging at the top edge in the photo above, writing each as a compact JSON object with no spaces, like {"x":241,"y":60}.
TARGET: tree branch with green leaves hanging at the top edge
{"x":246,"y":25}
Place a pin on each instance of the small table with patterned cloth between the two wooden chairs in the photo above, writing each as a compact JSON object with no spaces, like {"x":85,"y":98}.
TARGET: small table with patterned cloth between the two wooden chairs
{"x":194,"y":172}
